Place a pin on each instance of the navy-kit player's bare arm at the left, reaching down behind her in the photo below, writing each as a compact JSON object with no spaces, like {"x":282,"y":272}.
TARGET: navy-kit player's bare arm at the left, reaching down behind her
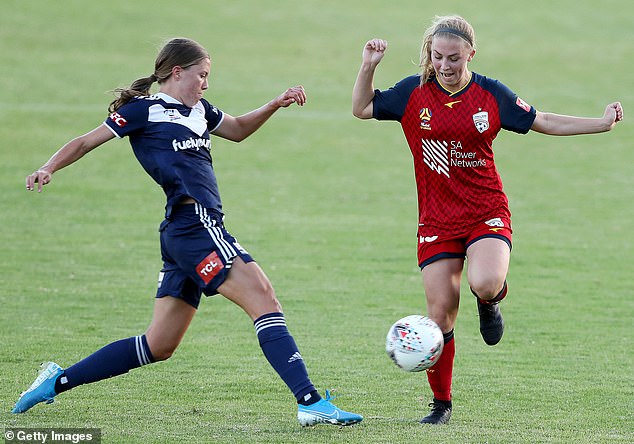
{"x":69,"y":153}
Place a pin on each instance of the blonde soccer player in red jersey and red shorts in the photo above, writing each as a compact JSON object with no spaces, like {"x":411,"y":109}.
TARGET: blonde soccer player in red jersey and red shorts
{"x":450,"y":117}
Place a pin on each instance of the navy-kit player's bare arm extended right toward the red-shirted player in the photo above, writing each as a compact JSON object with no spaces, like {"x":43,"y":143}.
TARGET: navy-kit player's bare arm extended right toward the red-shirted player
{"x":241,"y":127}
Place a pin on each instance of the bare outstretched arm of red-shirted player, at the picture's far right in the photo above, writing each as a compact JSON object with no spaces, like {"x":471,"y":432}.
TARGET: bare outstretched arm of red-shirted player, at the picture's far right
{"x":562,"y":125}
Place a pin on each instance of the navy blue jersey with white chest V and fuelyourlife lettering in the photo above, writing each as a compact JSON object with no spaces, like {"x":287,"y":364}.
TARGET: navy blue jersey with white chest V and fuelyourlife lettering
{"x":171,"y":141}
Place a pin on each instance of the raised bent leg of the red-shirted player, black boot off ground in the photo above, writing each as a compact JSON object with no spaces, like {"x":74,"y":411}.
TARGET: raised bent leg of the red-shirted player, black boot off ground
{"x":487,"y":266}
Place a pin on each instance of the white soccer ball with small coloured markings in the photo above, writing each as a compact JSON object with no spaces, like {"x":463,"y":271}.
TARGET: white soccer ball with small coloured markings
{"x":414,"y":343}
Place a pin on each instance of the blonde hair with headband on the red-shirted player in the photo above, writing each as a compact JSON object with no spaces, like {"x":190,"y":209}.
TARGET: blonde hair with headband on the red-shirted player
{"x":449,"y":25}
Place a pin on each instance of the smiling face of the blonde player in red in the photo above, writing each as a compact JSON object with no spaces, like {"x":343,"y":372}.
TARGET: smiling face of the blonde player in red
{"x":449,"y":57}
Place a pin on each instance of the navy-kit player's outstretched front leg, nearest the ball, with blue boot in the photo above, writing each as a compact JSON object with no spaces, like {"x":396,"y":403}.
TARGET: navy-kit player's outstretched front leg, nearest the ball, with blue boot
{"x":248,"y":287}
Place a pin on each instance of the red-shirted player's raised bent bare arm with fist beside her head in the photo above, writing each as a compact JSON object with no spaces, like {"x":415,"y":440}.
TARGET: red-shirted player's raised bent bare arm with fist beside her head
{"x":363,"y":91}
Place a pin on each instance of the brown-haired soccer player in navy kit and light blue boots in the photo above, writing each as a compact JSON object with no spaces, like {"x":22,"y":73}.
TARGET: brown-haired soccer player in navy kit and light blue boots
{"x":169,"y":133}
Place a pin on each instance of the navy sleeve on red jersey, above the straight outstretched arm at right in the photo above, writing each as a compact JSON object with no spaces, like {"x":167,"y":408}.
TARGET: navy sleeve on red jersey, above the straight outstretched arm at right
{"x":515,"y":114}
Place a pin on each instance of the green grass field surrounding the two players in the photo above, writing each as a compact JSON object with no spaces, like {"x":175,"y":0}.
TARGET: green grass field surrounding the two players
{"x":326,"y":204}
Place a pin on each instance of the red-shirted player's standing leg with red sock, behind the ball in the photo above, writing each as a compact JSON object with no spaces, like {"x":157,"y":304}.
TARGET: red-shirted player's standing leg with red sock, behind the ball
{"x":442,"y":291}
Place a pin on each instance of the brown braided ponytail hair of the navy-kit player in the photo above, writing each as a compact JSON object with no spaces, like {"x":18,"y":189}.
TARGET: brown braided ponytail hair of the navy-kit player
{"x":176,"y":52}
